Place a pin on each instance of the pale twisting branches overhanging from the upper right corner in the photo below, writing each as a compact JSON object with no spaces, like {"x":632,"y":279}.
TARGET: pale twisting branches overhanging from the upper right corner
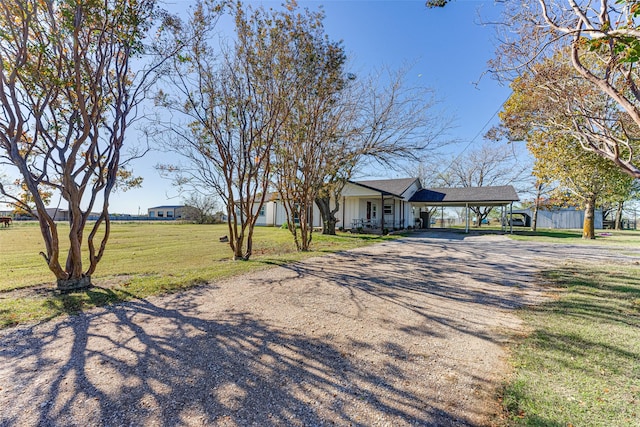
{"x":602,"y":42}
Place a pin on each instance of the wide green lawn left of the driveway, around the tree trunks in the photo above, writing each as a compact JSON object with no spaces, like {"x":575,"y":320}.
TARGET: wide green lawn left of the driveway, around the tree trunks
{"x":142,"y":259}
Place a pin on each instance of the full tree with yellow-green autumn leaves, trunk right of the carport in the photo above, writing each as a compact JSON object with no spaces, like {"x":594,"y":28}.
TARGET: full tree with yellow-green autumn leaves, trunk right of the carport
{"x":552,"y":108}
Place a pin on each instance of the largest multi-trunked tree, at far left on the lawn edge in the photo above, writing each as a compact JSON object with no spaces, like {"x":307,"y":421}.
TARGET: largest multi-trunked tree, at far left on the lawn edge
{"x":68,"y":93}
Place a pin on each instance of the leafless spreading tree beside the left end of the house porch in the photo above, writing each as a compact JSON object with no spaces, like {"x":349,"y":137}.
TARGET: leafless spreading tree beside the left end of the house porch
{"x":384,"y":121}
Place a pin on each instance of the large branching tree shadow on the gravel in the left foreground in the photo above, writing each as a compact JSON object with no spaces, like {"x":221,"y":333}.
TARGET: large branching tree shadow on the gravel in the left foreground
{"x":138,"y":363}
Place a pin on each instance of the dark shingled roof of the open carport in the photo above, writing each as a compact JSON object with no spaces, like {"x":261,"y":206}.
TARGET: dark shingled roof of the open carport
{"x":473,"y":196}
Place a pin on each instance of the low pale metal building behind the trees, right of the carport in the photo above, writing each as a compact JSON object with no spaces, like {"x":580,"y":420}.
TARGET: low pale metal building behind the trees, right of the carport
{"x":557,"y":218}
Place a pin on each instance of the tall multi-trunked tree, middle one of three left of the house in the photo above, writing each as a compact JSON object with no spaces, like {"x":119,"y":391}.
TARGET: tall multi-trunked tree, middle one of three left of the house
{"x":228,"y":108}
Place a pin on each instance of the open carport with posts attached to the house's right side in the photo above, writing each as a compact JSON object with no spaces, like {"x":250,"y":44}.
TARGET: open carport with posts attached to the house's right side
{"x":468,"y":197}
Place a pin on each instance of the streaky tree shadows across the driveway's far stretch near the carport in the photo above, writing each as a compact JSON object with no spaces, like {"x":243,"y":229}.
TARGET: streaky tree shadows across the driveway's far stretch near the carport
{"x":462,"y":275}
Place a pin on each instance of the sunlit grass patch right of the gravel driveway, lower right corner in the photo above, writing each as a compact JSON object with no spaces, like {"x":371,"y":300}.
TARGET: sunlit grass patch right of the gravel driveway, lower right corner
{"x":580,"y":365}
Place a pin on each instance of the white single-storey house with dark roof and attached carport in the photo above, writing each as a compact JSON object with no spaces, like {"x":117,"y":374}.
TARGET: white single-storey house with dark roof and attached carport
{"x":392,"y":203}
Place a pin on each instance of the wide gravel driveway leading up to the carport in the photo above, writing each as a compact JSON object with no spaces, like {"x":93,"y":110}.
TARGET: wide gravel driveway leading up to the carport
{"x":409,"y":332}
